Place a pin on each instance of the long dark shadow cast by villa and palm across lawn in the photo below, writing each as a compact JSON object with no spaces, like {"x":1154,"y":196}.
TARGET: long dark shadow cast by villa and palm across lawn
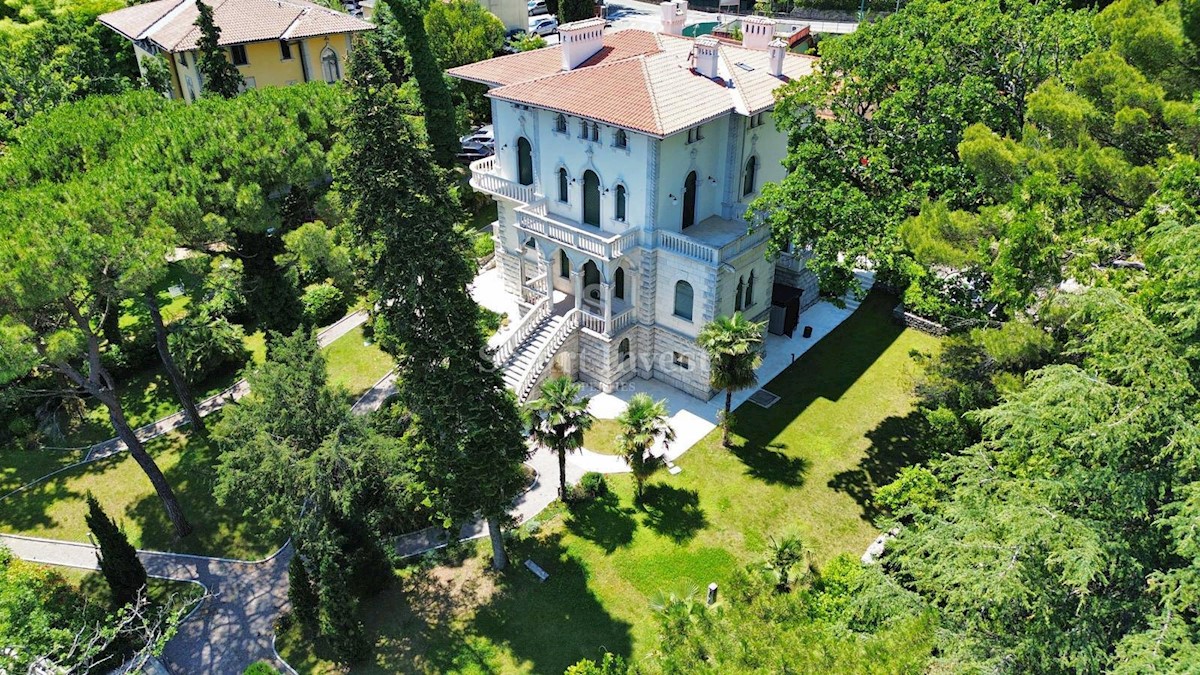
{"x":826,"y":372}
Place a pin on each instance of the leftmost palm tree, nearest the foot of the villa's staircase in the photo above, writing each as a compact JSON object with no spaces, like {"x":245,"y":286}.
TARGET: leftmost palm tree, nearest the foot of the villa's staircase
{"x":559,"y":420}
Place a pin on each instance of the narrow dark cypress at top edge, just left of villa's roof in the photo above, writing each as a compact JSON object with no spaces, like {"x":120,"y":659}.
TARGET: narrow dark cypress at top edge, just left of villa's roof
{"x":440,"y":115}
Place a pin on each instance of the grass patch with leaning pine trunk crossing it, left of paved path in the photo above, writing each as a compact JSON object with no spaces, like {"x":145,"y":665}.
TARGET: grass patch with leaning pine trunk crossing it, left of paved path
{"x":56,"y":509}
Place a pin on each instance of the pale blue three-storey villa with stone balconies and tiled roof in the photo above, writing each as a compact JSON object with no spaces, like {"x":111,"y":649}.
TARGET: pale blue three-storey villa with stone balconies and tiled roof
{"x":625,"y":165}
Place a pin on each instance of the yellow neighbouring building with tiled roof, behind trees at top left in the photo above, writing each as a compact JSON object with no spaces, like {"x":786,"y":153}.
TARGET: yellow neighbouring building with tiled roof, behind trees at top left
{"x":273,"y":43}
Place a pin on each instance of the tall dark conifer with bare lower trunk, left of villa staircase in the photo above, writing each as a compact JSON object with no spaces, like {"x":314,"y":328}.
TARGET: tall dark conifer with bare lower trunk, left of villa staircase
{"x":466,"y":425}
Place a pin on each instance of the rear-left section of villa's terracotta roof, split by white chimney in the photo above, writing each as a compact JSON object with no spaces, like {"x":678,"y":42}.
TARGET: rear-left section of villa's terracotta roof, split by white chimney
{"x":513,"y":69}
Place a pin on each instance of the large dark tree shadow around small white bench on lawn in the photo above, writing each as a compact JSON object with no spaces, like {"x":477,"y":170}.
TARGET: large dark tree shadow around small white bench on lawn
{"x":554,"y":624}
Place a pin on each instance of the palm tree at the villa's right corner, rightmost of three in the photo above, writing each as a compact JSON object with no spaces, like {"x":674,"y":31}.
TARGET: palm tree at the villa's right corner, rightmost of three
{"x":735,"y":353}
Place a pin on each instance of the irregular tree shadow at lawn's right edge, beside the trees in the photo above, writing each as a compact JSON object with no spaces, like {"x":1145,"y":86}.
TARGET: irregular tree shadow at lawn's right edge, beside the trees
{"x":895,"y":446}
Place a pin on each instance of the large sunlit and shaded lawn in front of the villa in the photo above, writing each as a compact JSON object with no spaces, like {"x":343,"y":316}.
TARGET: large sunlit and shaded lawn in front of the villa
{"x":806,"y":467}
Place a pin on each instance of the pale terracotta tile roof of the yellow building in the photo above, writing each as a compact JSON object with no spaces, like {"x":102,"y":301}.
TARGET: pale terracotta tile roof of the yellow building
{"x":172,"y":23}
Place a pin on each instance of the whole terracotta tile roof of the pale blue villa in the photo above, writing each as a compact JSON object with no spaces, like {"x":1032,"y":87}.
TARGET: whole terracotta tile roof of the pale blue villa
{"x":655,"y":92}
